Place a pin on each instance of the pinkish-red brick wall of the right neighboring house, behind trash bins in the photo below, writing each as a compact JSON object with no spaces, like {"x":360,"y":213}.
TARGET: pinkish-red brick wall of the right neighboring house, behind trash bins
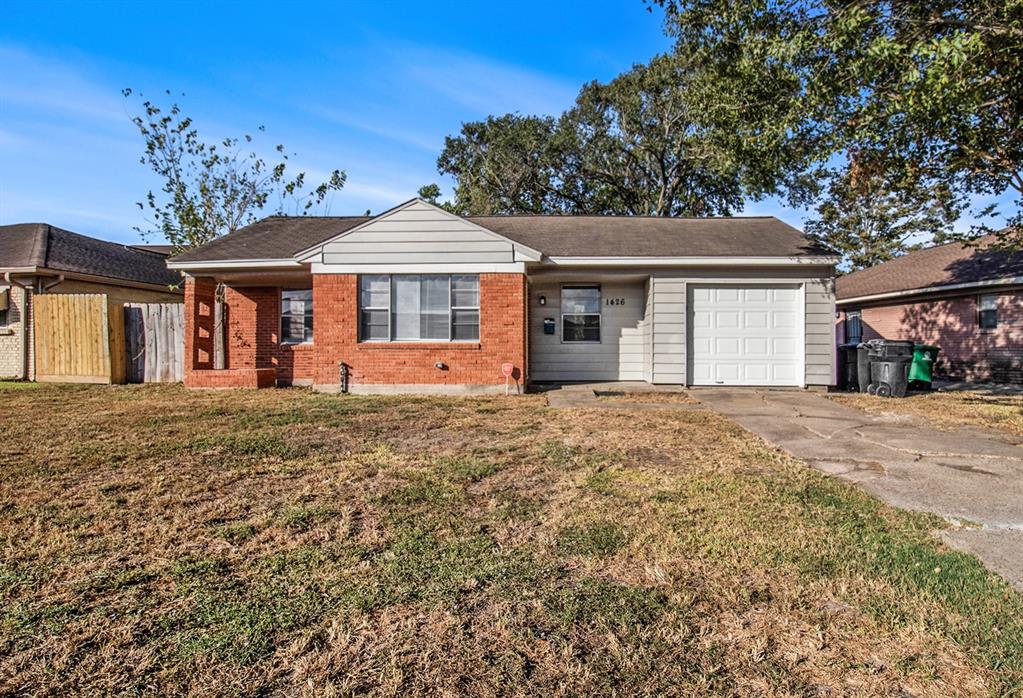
{"x":967,"y":352}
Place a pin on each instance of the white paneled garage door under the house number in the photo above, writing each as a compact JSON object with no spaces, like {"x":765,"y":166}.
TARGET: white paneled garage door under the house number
{"x":746,"y":336}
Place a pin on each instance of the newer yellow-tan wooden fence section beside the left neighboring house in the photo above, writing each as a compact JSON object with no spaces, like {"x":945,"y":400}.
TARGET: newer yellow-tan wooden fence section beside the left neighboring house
{"x":79,"y":338}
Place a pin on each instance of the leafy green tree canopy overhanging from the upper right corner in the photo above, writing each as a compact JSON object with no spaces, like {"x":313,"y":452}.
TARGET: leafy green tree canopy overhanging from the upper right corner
{"x":924,"y":95}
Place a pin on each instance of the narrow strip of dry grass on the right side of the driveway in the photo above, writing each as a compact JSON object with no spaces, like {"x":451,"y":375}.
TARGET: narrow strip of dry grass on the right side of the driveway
{"x":1002,"y":413}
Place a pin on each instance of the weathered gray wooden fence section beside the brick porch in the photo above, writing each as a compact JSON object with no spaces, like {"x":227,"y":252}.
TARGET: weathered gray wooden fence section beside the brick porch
{"x":155,"y":342}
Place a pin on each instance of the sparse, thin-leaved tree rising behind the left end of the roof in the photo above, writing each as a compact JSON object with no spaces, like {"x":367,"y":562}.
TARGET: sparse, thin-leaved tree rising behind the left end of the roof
{"x":211,"y":190}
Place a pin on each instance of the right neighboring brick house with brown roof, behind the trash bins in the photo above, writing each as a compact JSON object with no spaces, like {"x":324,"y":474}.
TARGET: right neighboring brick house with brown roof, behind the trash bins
{"x":966,"y":300}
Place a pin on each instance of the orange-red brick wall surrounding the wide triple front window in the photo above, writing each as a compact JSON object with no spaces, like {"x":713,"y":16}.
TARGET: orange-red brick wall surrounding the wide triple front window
{"x":503,"y":339}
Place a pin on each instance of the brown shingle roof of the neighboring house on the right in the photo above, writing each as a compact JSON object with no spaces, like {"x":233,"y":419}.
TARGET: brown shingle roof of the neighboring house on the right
{"x":949,"y":265}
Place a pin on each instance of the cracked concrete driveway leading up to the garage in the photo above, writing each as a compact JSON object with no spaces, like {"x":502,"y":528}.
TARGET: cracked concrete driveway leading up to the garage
{"x":971,"y":477}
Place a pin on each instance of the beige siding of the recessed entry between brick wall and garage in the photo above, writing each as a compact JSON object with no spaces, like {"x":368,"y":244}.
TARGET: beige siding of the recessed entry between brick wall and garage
{"x":621,"y":353}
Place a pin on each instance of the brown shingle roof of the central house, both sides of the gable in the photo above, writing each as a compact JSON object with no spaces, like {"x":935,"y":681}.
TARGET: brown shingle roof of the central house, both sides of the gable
{"x":282,"y":237}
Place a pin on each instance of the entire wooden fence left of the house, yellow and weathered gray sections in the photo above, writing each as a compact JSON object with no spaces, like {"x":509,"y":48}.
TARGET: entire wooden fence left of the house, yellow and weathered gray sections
{"x":88,"y":338}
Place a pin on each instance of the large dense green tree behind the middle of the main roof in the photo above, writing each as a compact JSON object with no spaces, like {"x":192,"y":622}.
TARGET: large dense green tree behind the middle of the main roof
{"x":652,"y":142}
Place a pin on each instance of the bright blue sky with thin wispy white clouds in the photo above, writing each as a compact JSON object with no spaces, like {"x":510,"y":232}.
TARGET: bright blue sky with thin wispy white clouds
{"x":368,"y":88}
